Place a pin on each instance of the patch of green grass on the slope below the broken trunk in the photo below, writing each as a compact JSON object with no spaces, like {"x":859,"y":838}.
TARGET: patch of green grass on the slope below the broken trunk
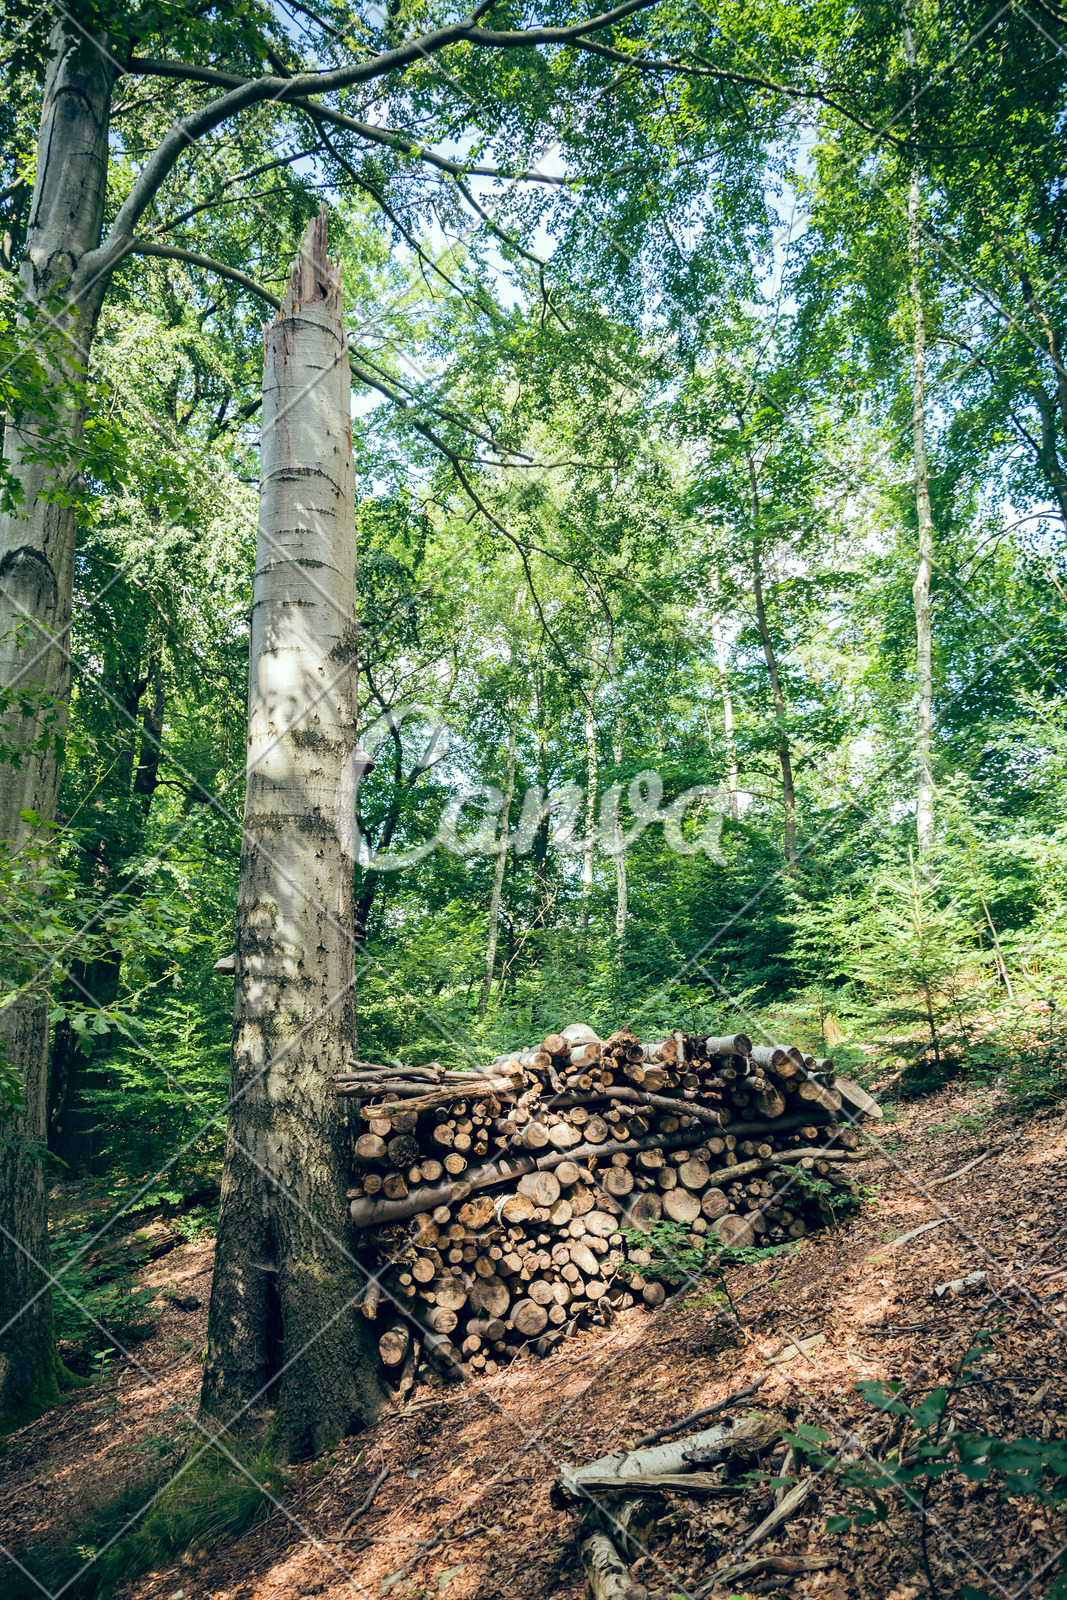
{"x":199,"y":1503}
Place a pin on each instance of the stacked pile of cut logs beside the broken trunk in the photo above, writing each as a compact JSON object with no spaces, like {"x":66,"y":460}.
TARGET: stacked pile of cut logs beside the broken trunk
{"x":500,"y":1207}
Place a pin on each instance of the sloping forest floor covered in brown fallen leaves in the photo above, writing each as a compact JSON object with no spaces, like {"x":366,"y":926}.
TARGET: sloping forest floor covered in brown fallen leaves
{"x":466,"y":1510}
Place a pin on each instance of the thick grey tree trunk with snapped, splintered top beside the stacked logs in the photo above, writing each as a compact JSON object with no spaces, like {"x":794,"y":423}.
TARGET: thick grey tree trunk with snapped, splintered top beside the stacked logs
{"x":284,"y":1337}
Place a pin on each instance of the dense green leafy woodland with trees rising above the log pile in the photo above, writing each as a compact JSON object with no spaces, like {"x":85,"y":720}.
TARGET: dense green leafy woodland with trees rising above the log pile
{"x":684,"y":646}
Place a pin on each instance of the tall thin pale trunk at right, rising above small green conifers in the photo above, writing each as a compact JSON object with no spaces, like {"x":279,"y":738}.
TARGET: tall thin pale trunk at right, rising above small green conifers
{"x":925,"y":570}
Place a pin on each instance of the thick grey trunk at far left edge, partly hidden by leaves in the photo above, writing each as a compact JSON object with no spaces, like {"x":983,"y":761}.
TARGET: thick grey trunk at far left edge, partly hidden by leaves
{"x":36,"y":601}
